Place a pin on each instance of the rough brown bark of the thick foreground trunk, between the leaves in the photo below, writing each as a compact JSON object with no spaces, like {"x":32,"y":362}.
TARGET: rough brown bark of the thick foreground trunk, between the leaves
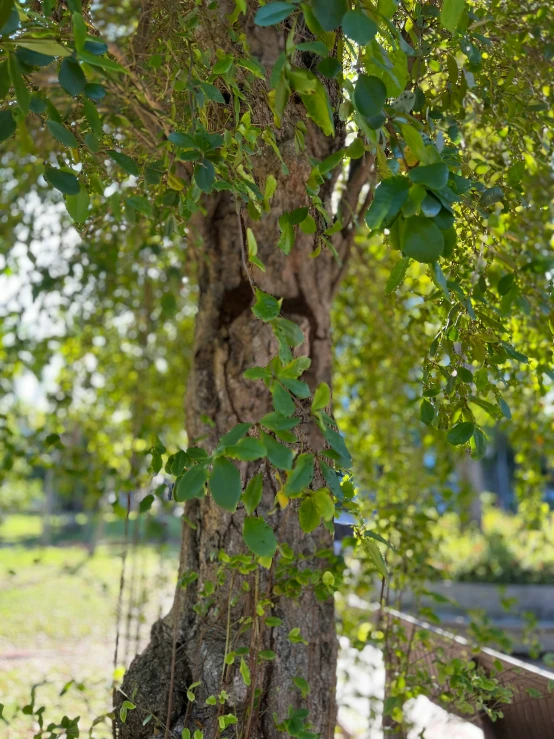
{"x":229,"y":339}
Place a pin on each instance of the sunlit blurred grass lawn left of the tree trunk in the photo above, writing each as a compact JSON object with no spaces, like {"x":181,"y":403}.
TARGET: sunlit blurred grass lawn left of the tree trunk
{"x":57,"y":625}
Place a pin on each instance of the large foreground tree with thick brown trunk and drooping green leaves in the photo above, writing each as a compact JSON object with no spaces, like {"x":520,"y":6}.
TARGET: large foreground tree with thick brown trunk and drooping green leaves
{"x":258,"y":148}
